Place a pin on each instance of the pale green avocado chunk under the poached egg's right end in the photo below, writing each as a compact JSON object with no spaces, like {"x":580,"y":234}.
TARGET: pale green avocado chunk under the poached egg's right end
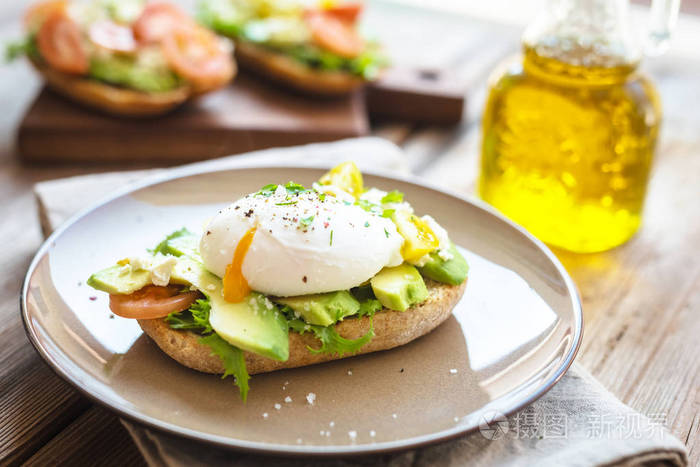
{"x":399,"y":288}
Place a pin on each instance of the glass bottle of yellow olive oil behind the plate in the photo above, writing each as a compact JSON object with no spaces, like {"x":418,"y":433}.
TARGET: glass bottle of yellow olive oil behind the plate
{"x":570,"y":128}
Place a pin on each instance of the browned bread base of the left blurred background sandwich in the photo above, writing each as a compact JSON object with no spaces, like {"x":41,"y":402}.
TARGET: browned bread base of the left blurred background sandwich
{"x":112,"y":99}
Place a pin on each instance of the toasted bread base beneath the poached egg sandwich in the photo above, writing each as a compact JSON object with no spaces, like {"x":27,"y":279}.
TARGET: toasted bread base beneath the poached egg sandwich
{"x":391,"y":329}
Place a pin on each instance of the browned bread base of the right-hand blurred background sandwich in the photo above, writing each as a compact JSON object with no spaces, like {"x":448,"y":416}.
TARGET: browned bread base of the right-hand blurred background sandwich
{"x":292,"y":73}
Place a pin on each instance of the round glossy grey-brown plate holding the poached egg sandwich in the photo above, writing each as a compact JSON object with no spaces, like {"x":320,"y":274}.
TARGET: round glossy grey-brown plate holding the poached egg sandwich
{"x":512,"y":336}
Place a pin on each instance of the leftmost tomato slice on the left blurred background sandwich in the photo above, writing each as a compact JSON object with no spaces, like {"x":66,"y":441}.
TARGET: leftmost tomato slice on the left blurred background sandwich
{"x":60,"y":43}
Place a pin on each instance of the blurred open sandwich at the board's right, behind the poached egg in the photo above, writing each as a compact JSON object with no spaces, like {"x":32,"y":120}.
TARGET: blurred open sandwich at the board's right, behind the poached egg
{"x":311,"y":46}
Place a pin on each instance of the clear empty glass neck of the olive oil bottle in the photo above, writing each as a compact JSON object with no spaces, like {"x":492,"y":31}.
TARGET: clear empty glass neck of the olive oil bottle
{"x":584,"y":34}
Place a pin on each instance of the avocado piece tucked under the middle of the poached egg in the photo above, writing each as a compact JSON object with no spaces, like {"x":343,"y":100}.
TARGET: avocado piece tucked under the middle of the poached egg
{"x":323,"y":309}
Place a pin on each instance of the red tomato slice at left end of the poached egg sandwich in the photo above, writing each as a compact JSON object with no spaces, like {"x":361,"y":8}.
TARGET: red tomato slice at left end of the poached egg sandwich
{"x":152,"y":302}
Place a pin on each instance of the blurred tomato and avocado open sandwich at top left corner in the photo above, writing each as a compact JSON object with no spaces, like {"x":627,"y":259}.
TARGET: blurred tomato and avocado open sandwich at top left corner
{"x":124,"y":57}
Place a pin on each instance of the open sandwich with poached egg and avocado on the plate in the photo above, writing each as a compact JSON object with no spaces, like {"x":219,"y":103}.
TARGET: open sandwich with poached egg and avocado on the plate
{"x":291,"y":276}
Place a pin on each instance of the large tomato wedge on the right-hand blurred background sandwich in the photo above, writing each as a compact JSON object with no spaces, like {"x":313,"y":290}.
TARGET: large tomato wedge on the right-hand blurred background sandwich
{"x":337,"y":36}
